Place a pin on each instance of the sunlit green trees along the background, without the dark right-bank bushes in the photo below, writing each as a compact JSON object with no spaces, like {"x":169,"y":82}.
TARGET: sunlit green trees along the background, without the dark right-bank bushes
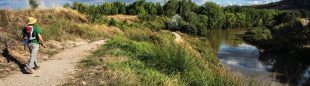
{"x":195,"y":19}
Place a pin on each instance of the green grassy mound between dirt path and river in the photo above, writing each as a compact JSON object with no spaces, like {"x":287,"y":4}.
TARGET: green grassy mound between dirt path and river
{"x":144,"y":57}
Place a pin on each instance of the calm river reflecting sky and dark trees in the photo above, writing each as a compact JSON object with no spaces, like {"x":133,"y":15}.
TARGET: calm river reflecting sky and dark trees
{"x":265,"y":67}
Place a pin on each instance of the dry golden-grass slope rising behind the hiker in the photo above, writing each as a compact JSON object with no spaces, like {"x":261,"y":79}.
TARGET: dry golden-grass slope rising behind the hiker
{"x":61,"y":29}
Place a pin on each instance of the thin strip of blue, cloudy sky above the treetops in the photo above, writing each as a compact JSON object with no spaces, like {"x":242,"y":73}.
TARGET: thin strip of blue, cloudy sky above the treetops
{"x":21,"y":4}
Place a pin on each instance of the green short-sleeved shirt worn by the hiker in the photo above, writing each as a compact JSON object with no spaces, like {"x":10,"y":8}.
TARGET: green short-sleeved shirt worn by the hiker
{"x":35,"y":33}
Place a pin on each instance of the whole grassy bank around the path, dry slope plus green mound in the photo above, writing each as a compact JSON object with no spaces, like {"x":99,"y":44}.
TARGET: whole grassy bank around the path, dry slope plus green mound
{"x":134,"y":52}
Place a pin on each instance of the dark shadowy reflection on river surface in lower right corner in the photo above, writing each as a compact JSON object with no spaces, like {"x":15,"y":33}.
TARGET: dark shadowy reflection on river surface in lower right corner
{"x":293,"y":68}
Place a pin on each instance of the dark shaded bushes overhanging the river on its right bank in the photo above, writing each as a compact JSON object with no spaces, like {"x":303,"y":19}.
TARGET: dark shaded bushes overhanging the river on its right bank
{"x":287,"y":32}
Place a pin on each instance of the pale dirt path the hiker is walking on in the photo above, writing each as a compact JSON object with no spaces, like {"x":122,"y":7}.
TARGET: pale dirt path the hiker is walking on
{"x":53,"y":72}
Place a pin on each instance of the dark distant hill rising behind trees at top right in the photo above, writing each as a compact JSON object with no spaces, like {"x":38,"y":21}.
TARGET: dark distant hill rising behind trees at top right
{"x":287,"y":5}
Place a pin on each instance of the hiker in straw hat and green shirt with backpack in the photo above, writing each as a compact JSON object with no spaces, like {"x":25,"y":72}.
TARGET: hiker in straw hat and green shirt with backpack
{"x":32,"y":39}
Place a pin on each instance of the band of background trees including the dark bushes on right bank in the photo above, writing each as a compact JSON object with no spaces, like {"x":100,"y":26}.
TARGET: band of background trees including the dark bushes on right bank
{"x":198,"y":20}
